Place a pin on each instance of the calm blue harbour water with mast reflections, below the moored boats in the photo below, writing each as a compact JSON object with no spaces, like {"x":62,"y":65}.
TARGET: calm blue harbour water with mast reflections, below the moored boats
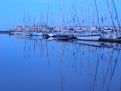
{"x":43,"y":65}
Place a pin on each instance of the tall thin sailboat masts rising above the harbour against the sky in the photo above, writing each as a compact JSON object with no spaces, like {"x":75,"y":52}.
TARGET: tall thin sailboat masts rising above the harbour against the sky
{"x":75,"y":19}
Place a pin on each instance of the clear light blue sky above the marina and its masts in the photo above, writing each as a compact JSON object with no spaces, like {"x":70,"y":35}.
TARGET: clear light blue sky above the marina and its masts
{"x":12,"y":12}
